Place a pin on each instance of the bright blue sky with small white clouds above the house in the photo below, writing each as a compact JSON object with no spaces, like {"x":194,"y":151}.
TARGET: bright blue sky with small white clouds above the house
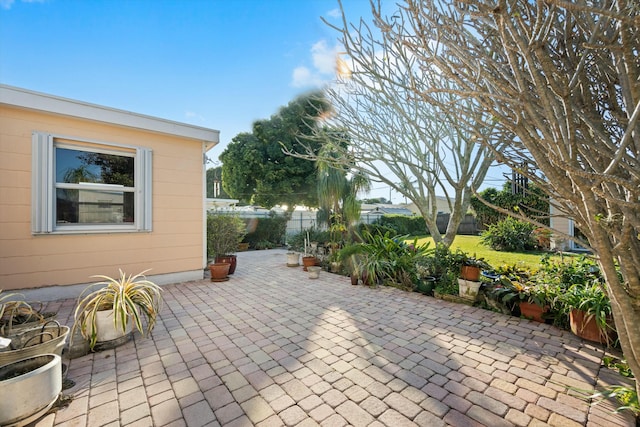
{"x":220,"y":64}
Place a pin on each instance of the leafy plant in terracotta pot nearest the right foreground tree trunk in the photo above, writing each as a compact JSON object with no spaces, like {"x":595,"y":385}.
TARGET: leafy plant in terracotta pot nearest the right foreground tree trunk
{"x":589,"y":311}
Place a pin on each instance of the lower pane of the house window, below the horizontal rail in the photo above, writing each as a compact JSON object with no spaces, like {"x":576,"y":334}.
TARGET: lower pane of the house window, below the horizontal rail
{"x":94,"y":207}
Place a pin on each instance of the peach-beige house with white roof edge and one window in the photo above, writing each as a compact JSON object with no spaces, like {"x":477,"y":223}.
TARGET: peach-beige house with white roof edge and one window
{"x":88,"y":190}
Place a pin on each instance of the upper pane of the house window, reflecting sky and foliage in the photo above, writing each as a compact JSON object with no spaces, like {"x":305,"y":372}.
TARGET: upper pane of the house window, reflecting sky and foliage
{"x":75,"y":166}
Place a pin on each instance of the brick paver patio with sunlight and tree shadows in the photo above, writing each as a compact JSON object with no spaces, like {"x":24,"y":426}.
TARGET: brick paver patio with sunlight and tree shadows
{"x":271,"y":347}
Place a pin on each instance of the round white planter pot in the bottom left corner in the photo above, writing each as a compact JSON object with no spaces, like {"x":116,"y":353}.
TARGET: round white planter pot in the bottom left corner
{"x":27,"y":396}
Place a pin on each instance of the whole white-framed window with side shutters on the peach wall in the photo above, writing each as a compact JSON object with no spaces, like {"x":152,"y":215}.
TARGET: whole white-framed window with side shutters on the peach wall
{"x":88,"y":186}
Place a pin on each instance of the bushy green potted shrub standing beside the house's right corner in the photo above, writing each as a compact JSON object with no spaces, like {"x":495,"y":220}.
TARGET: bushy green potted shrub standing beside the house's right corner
{"x":224,"y":233}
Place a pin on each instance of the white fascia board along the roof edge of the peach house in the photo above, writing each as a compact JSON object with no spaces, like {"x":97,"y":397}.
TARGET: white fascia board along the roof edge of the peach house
{"x":23,"y":98}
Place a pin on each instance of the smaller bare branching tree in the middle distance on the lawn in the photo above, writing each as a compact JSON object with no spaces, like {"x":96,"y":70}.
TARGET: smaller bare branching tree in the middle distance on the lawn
{"x":393,"y":136}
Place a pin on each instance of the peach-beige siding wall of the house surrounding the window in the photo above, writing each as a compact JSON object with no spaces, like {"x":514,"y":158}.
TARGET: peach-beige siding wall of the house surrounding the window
{"x":175,"y":244}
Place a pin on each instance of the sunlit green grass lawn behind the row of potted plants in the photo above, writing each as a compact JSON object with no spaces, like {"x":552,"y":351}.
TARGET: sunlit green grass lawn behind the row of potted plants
{"x":471,"y":245}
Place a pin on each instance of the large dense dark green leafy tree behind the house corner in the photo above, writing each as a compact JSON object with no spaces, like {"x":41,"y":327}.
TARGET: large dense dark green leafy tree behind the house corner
{"x":255,"y":166}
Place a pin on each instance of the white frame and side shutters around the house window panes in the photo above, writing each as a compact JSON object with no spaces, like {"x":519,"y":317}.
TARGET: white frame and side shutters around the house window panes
{"x":43,"y":207}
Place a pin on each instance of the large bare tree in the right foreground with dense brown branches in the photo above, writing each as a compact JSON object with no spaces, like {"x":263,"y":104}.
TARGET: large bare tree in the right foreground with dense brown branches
{"x":564,"y":79}
